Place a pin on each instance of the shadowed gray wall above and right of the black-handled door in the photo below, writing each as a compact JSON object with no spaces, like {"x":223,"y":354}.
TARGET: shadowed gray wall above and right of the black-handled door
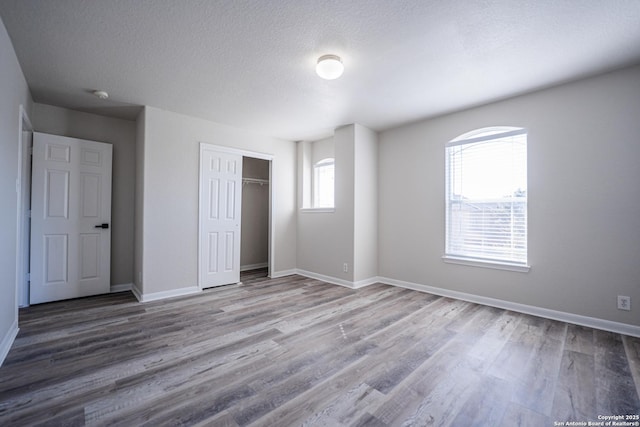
{"x":122,"y":135}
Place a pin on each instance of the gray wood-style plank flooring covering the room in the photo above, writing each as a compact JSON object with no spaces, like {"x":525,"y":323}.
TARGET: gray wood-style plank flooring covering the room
{"x":295,"y":351}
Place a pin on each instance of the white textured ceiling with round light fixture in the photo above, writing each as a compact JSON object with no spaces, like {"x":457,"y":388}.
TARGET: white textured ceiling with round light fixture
{"x":250,"y":64}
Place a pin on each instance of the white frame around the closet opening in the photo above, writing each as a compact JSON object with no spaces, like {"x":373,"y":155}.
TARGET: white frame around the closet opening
{"x":244,"y":153}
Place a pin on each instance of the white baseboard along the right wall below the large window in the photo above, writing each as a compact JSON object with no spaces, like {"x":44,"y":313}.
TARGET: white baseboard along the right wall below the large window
{"x":592,"y":322}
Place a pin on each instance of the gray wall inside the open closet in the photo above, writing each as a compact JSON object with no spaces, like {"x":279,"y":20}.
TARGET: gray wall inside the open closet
{"x":255,"y":214}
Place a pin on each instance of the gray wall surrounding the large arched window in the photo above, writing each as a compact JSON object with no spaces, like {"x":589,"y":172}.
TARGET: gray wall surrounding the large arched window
{"x":584,"y":209}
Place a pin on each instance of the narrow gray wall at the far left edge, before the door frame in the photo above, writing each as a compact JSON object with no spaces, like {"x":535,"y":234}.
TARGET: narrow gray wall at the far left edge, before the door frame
{"x":14,"y":92}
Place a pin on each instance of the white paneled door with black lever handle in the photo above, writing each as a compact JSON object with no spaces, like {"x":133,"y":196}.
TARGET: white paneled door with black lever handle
{"x":70,"y":218}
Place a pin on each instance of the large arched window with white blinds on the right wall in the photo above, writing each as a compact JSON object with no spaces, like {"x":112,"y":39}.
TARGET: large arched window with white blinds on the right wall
{"x":486,"y":197}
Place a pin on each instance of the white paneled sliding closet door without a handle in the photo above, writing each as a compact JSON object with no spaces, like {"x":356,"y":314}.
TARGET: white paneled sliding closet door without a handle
{"x":220,"y":217}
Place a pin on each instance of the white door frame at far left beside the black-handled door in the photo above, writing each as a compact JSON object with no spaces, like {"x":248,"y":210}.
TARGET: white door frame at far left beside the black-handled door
{"x":23,"y":220}
